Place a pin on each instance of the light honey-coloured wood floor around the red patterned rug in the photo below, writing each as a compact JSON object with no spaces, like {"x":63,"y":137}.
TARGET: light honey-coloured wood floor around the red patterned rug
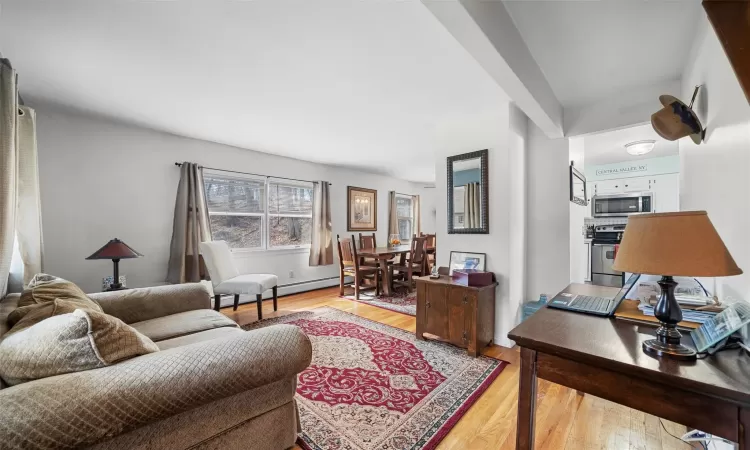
{"x":564,"y":419}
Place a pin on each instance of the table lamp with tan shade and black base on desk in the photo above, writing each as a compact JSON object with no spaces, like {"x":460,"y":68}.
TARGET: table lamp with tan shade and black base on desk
{"x":672,"y":244}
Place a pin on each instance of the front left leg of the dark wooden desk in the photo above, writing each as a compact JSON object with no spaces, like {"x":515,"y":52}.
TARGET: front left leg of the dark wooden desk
{"x":526,"y":400}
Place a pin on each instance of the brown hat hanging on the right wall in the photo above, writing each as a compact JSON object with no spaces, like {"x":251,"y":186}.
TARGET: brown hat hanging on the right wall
{"x":677,"y":120}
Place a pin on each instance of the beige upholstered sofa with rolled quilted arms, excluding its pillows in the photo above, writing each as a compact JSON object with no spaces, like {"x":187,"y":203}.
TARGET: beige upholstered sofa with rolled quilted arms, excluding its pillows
{"x":212,"y":385}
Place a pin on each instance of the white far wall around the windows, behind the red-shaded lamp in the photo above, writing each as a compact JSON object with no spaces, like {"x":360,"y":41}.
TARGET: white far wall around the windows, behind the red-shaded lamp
{"x":101,"y":179}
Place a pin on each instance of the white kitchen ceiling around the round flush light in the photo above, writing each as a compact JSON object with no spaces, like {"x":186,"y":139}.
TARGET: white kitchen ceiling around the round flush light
{"x":609,"y":147}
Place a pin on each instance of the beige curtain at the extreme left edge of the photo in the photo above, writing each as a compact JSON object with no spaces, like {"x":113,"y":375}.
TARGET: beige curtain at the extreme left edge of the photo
{"x":8,"y":168}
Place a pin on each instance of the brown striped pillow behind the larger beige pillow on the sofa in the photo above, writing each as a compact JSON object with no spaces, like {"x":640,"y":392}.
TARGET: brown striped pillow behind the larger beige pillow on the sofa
{"x":37,"y":301}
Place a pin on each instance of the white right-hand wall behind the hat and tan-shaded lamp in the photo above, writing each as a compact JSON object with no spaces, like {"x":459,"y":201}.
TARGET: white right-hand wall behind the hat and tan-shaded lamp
{"x":713,"y":175}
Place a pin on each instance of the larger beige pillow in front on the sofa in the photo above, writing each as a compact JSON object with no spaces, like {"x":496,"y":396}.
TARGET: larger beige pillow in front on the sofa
{"x":65,"y":343}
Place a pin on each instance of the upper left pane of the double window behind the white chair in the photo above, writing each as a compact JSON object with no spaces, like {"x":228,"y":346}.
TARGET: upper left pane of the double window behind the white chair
{"x":226,"y":194}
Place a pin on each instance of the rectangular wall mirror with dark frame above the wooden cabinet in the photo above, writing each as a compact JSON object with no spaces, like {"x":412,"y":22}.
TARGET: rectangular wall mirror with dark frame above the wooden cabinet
{"x":468,"y":193}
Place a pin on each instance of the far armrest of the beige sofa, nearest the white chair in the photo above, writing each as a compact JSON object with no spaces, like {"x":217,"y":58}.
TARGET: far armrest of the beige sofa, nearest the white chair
{"x":136,"y":305}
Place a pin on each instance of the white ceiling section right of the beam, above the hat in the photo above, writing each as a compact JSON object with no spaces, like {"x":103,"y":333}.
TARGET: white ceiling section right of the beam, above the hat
{"x":590,"y":50}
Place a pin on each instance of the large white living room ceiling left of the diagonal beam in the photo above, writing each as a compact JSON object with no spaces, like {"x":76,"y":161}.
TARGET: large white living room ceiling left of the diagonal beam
{"x":356,"y":83}
